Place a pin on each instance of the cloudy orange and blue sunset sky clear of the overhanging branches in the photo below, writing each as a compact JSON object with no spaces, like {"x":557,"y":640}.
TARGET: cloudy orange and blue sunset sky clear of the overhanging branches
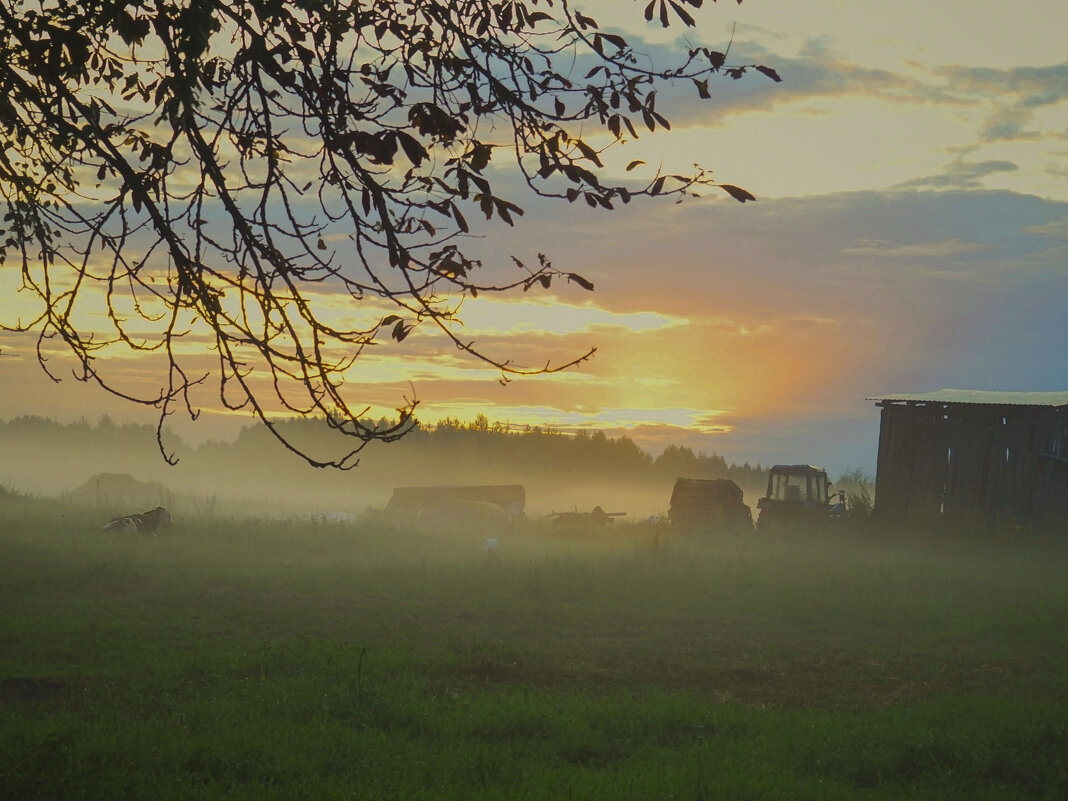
{"x":910,"y":234}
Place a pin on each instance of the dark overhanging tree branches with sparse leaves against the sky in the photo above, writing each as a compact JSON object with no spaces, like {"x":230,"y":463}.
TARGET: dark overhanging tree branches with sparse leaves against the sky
{"x":215,"y":175}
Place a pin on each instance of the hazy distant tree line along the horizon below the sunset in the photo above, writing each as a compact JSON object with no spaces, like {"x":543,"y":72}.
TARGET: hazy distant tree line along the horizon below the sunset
{"x":450,"y":451}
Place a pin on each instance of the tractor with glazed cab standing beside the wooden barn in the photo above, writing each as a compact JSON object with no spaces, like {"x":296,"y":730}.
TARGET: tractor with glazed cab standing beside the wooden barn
{"x":798,"y":495}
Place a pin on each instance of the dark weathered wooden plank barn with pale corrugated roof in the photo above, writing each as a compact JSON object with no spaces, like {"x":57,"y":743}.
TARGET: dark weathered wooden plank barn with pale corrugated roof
{"x":971,"y":457}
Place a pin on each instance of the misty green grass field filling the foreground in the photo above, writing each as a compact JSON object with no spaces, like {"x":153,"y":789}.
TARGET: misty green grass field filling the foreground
{"x":270,"y":661}
